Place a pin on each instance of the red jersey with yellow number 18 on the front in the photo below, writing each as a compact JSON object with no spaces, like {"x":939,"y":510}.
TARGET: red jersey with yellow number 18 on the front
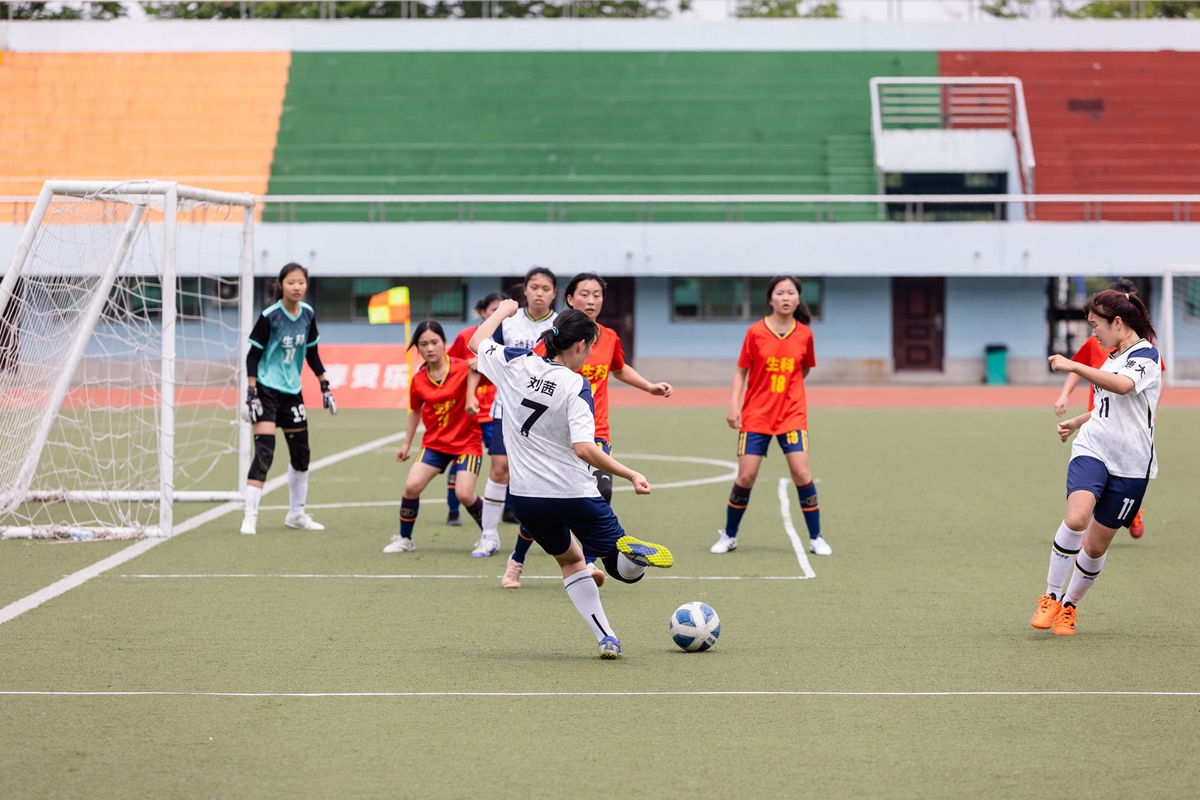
{"x":776,"y":401}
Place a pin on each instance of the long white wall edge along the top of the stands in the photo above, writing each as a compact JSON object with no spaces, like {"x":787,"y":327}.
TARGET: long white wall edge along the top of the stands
{"x":596,"y":35}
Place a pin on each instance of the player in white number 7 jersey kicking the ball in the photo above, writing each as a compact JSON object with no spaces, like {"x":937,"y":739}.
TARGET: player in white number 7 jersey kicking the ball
{"x":550,"y":429}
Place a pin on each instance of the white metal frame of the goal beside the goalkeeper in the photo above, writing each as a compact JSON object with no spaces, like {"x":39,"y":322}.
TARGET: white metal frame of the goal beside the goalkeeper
{"x":140,"y":195}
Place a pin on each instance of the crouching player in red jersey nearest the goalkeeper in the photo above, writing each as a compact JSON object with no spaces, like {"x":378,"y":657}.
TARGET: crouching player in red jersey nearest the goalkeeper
{"x":442,"y":395}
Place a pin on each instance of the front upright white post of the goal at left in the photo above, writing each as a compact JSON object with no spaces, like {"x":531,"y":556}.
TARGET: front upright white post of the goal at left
{"x":167,"y":386}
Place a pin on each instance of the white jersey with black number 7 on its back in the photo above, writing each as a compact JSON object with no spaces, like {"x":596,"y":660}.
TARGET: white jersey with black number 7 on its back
{"x":550,"y":410}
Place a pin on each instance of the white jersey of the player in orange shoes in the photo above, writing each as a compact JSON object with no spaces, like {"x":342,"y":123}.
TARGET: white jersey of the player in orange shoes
{"x":1121,"y":430}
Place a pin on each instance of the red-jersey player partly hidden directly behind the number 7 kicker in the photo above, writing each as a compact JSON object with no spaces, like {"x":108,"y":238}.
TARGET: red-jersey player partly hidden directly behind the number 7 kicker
{"x":586,"y":293}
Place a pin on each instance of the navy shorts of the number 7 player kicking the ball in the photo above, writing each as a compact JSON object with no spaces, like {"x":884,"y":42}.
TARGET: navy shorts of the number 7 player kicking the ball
{"x":551,"y":521}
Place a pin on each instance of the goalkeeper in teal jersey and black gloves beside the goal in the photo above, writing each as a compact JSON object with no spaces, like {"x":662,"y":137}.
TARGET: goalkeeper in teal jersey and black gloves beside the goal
{"x":284,"y":339}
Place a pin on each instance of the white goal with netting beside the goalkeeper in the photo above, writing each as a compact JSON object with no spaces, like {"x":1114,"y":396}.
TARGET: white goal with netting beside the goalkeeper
{"x":124,"y":317}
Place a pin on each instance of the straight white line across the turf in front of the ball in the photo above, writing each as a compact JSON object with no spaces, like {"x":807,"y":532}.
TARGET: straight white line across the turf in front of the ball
{"x":697,"y":694}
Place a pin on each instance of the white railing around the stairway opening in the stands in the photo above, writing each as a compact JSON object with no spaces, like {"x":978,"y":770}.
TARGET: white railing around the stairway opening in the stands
{"x":953,"y":104}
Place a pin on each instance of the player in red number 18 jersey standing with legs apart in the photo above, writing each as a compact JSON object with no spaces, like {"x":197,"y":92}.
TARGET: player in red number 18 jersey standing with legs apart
{"x":776,"y":358}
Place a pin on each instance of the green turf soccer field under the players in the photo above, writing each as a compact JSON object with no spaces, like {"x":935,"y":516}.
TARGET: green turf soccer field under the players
{"x":310,"y":665}
